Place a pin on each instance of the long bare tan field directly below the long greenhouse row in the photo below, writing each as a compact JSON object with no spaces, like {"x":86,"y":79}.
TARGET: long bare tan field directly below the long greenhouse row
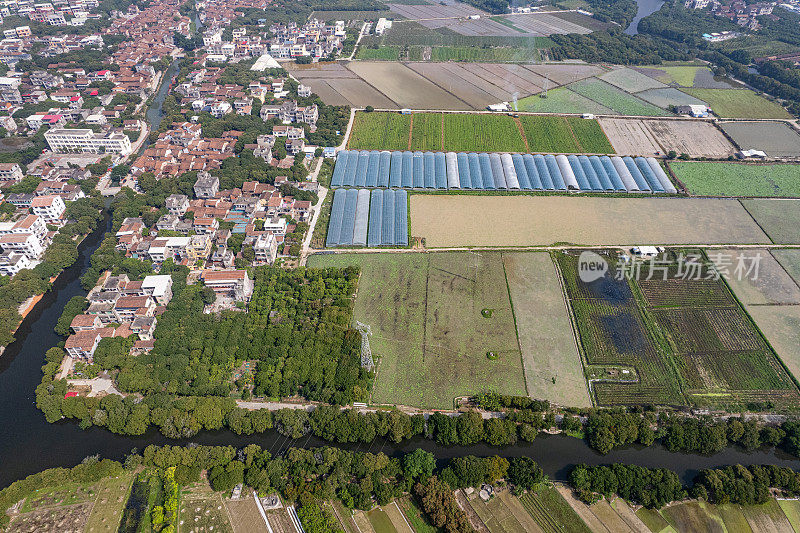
{"x":460,"y":220}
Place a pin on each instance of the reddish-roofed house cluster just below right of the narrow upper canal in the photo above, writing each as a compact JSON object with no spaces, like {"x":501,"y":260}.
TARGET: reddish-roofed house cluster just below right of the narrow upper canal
{"x":182,"y":149}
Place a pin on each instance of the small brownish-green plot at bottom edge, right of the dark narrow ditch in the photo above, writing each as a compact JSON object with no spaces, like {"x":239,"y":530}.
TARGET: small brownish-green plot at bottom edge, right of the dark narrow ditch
{"x":203,"y":510}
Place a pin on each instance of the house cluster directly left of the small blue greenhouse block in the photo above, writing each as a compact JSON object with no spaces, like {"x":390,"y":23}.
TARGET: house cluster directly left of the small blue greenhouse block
{"x":259,"y":211}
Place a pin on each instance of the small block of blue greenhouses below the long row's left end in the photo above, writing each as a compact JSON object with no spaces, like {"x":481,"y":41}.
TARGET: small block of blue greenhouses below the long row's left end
{"x":361,"y":217}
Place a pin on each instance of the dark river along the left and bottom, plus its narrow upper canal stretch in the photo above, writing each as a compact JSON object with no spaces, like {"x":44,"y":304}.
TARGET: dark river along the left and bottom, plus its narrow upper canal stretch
{"x":29,"y":444}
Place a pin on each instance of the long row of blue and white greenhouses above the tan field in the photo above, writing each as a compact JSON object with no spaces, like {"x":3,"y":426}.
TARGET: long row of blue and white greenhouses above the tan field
{"x":492,"y":171}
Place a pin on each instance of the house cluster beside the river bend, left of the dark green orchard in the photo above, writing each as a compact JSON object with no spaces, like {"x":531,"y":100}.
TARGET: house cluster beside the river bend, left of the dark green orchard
{"x":119,"y":307}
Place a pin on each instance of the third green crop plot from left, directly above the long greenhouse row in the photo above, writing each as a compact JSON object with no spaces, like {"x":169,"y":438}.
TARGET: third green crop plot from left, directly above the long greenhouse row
{"x":481,"y":133}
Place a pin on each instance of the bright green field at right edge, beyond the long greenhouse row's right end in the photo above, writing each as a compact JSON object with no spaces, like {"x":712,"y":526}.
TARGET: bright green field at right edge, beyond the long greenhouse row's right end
{"x":738,"y":179}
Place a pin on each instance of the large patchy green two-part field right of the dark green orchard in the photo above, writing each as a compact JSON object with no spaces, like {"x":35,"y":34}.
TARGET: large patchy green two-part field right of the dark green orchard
{"x":428,"y":328}
